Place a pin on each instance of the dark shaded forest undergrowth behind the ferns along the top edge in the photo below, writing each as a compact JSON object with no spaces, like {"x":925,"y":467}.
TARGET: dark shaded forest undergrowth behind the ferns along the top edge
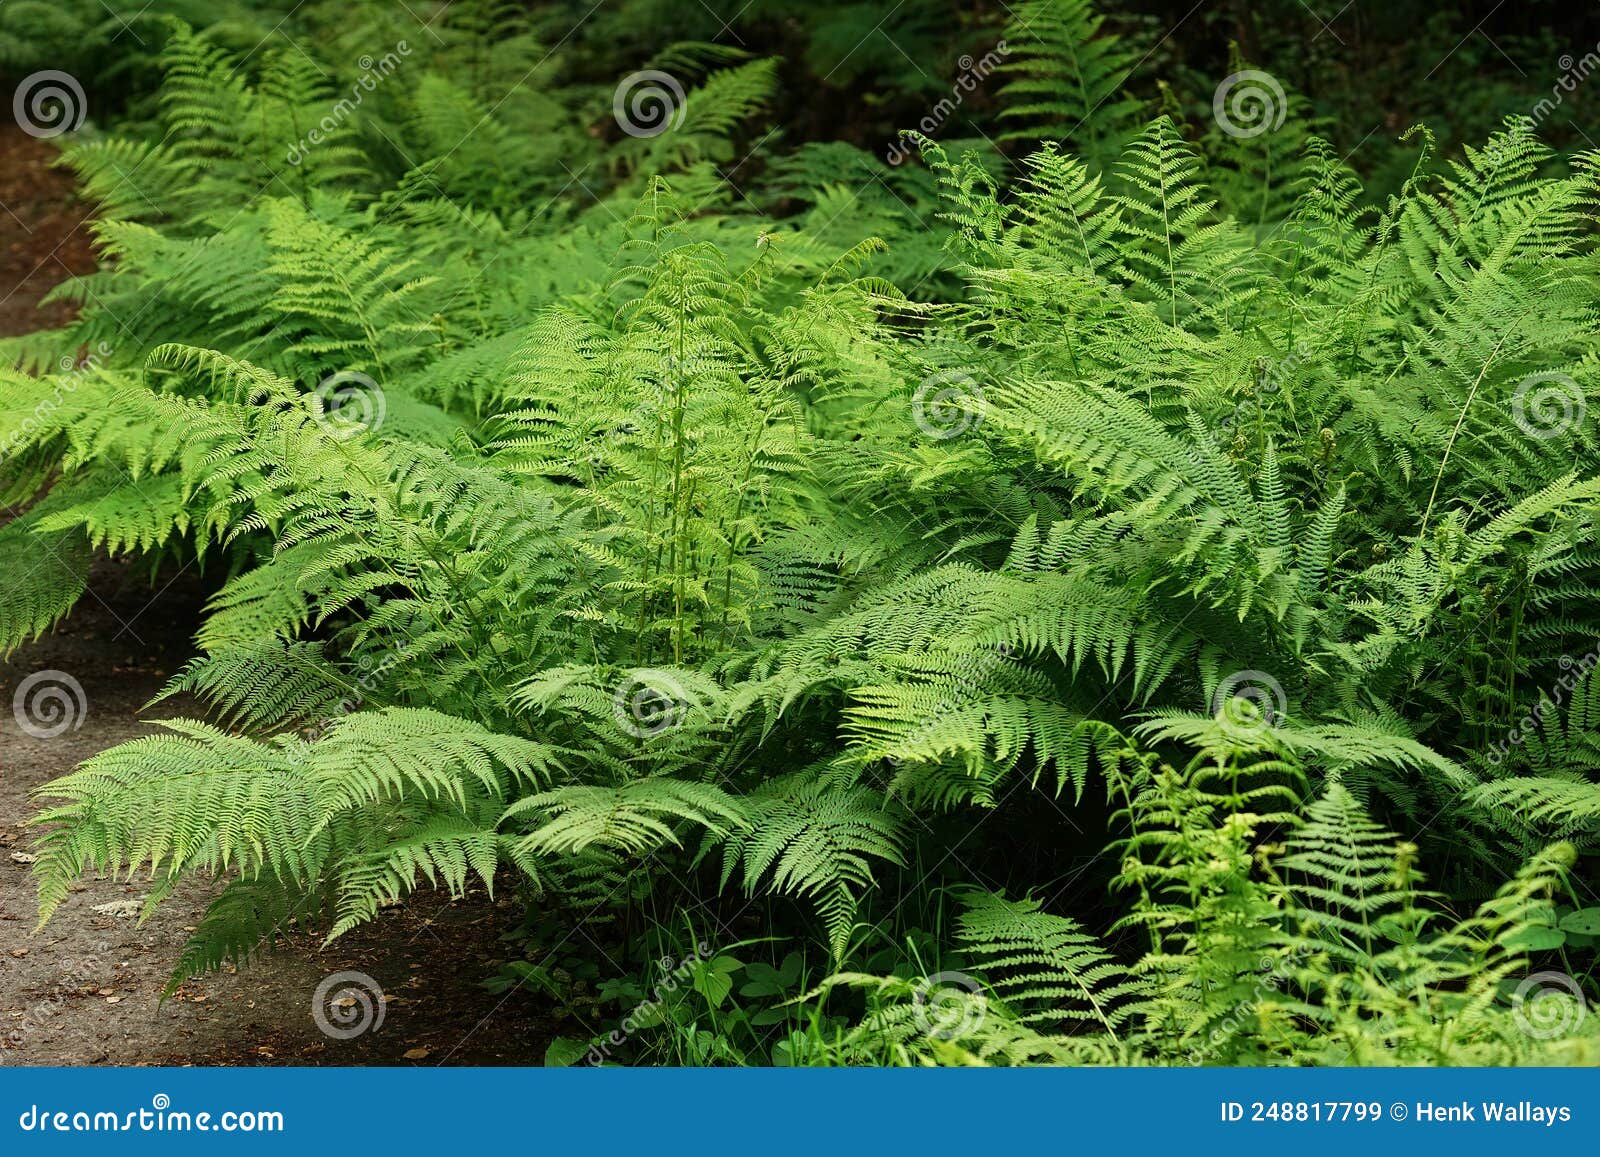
{"x":862,"y":71}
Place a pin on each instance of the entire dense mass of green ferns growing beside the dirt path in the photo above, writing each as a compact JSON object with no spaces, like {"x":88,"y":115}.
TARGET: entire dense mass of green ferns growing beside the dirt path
{"x":655,"y":532}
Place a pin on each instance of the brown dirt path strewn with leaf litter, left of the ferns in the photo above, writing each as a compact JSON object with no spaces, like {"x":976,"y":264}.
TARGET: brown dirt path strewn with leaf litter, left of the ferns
{"x":86,"y":988}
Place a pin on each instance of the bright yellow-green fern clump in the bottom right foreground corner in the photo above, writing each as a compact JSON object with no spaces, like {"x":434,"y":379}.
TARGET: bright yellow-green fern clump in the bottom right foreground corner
{"x":1247,"y":966}
